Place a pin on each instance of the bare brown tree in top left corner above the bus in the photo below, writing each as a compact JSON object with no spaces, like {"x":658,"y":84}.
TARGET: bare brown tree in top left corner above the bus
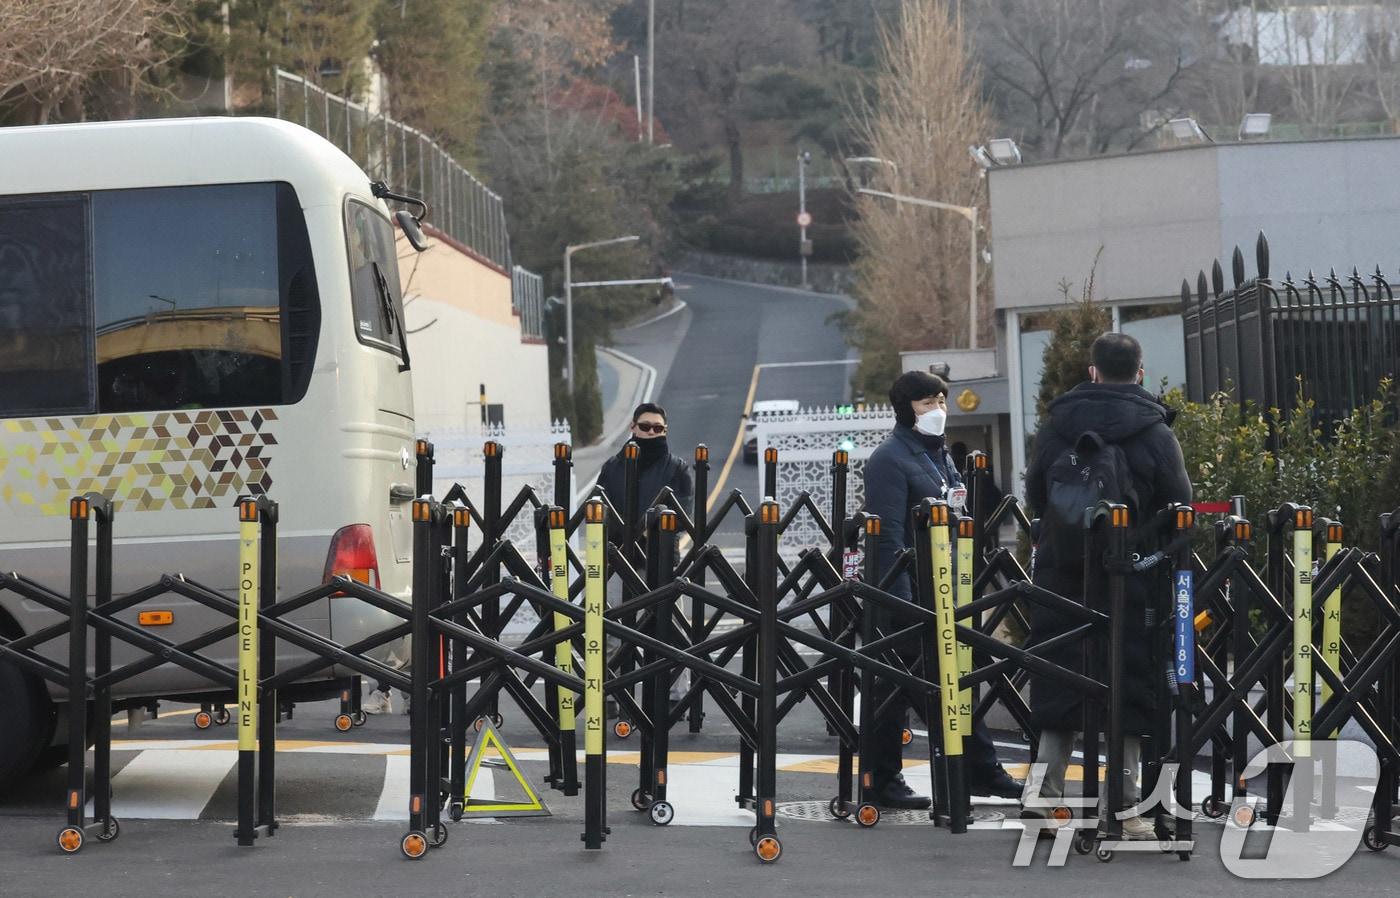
{"x":51,"y":50}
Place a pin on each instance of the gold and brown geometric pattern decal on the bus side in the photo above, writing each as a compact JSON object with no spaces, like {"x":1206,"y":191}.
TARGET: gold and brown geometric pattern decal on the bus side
{"x":142,"y":462}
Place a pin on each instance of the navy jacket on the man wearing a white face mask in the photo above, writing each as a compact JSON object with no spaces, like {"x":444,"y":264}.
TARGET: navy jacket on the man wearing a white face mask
{"x":898,"y":477}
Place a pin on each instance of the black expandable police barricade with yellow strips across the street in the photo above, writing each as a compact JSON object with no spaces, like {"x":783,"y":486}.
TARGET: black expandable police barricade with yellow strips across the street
{"x":941,"y":651}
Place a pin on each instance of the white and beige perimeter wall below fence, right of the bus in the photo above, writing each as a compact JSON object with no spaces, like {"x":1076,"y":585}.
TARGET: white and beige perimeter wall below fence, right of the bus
{"x":468,"y":337}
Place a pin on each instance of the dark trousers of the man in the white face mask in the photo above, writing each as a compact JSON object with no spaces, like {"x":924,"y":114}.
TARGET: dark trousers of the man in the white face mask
{"x":884,"y":747}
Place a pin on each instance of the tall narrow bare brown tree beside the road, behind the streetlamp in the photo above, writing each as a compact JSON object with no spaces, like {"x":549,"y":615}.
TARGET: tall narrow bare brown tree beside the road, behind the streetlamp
{"x":925,"y":110}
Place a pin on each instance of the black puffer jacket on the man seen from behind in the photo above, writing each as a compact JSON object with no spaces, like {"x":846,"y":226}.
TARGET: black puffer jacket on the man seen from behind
{"x":1132,"y":418}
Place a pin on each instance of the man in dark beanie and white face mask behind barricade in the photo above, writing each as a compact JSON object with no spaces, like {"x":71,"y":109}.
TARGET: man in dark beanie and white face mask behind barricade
{"x":911,"y":466}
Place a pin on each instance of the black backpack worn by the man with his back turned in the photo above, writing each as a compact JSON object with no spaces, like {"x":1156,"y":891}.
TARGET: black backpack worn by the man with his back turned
{"x":1087,"y":473}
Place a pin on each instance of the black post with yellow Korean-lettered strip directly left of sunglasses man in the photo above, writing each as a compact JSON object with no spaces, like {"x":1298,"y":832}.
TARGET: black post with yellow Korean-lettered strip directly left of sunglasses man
{"x":596,"y":588}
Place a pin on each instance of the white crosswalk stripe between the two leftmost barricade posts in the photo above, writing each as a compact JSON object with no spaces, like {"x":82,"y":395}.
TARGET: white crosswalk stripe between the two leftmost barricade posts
{"x":170,"y":785}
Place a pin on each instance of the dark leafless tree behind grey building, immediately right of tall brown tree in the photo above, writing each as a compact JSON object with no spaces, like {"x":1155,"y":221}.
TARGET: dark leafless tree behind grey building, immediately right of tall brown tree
{"x":1084,"y":76}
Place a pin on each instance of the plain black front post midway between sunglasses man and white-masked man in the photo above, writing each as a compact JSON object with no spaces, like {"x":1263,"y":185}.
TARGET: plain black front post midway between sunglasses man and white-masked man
{"x":766,"y":844}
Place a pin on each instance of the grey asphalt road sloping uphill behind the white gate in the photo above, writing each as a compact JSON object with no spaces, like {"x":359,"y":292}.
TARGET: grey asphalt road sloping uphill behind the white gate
{"x":706,"y":358}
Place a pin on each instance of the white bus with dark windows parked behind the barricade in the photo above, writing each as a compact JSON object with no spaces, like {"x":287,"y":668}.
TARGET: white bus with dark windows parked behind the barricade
{"x":192,"y":310}
